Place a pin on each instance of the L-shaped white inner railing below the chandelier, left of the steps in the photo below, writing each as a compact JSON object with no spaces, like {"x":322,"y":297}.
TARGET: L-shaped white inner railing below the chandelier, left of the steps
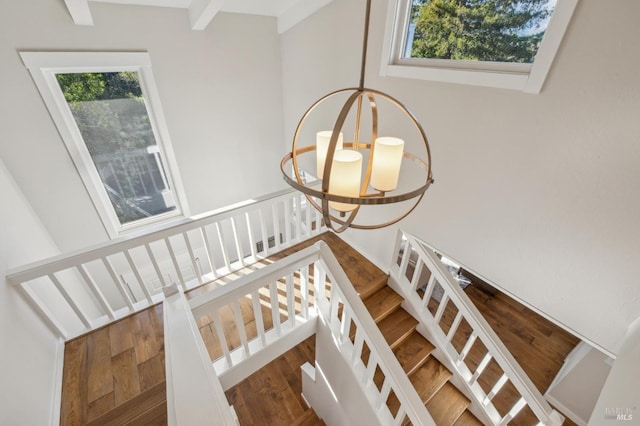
{"x":295,"y":295}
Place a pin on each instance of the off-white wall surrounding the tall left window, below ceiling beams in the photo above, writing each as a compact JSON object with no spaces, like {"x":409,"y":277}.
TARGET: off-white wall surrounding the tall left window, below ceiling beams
{"x":220,"y":90}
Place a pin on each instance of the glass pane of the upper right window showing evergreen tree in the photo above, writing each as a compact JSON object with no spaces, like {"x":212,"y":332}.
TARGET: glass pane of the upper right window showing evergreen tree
{"x":477,"y":30}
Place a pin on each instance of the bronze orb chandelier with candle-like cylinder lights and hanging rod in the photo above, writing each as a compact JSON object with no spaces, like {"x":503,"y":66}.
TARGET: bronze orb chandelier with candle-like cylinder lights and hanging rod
{"x":346,"y":186}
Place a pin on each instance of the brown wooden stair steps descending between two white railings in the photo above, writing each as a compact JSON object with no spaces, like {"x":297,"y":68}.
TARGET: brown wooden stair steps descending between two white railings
{"x":447,"y":405}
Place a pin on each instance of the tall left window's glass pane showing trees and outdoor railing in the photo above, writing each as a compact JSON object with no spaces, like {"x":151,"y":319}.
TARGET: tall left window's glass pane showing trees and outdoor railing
{"x":112,"y":117}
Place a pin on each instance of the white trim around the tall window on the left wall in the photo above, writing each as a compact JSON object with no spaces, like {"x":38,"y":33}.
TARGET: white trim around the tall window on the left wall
{"x":44,"y":66}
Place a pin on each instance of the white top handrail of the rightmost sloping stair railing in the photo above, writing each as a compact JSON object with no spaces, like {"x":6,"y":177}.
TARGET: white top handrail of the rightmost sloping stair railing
{"x":484,"y":332}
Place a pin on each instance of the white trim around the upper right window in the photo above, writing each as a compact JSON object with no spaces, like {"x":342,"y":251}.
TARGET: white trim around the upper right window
{"x":528,"y":78}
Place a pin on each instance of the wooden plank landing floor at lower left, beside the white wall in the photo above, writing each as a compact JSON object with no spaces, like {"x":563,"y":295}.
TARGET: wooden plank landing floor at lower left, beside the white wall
{"x":114,"y":365}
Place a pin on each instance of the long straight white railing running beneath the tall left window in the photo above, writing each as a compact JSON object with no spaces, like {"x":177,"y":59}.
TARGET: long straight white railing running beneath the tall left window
{"x":75,"y":293}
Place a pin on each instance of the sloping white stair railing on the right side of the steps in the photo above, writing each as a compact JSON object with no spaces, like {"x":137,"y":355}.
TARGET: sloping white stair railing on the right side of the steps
{"x":458,"y":329}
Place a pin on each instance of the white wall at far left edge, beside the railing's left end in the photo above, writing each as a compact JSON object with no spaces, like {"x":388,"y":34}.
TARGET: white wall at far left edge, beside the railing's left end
{"x":29,"y":356}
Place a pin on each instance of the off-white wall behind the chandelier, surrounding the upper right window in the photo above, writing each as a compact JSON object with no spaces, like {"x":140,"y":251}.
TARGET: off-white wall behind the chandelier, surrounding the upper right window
{"x":536,"y":192}
